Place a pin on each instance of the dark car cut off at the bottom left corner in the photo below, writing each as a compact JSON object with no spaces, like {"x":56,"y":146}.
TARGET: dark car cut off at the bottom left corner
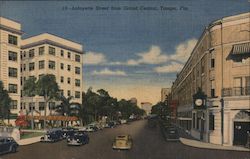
{"x":8,"y":144}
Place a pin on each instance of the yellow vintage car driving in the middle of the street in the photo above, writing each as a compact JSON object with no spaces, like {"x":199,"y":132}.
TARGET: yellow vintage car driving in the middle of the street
{"x":122,"y":142}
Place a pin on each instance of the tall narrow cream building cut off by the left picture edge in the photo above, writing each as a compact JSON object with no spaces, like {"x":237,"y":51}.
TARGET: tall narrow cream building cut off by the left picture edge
{"x":10,"y":43}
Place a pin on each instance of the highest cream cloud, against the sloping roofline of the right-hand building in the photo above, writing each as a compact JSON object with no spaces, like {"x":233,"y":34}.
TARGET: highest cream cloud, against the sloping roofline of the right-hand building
{"x":183,"y":50}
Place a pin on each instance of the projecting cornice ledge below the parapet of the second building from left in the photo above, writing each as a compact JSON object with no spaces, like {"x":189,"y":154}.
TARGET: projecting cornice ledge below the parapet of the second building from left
{"x":50,"y":42}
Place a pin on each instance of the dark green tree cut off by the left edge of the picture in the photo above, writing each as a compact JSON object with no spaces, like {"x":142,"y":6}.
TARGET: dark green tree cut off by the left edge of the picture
{"x":5,"y":101}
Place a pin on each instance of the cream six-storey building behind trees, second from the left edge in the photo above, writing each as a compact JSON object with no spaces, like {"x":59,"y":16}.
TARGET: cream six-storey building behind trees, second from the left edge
{"x":50,"y":54}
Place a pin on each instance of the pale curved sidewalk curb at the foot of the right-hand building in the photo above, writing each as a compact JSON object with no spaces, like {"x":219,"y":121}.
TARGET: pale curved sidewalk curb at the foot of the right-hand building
{"x":199,"y":144}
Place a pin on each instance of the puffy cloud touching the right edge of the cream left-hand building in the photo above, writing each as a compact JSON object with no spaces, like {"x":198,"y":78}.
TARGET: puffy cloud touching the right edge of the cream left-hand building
{"x":94,"y":58}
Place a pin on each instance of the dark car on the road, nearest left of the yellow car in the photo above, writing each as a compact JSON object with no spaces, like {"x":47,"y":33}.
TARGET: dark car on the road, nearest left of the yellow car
{"x":79,"y":138}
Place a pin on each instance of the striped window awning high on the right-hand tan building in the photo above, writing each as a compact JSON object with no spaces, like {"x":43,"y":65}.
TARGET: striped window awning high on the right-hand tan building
{"x":241,"y":49}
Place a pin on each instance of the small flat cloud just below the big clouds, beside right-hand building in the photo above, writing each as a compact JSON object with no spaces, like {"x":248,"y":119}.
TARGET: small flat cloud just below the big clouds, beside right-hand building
{"x":171,"y":68}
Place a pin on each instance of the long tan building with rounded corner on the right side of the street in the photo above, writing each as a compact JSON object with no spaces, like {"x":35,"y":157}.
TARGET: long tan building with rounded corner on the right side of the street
{"x":219,"y":65}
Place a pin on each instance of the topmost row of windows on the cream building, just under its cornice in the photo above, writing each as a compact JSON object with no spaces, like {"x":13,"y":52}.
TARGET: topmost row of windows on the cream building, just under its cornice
{"x":52,"y":51}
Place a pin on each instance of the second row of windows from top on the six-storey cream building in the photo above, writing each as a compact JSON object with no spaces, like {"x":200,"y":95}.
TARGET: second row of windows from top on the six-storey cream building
{"x":51,"y":65}
